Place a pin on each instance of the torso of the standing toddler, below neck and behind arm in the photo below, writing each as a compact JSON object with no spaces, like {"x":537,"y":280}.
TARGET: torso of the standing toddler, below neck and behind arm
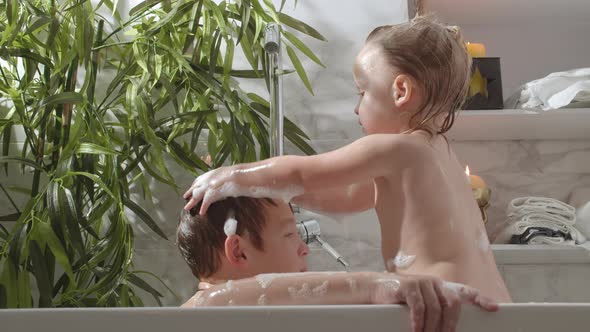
{"x":430,"y":222}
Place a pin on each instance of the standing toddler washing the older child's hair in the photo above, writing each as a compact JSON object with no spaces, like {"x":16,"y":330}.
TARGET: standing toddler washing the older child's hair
{"x":412,"y":79}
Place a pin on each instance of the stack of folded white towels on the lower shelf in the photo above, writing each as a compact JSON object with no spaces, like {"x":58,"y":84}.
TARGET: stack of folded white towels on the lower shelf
{"x":540,"y":220}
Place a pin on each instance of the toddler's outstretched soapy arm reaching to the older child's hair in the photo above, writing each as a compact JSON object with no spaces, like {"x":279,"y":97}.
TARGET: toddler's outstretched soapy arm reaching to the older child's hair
{"x":287,"y":177}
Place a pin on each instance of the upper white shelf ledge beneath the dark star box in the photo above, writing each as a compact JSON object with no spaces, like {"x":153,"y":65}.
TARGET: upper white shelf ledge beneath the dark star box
{"x":501,"y":125}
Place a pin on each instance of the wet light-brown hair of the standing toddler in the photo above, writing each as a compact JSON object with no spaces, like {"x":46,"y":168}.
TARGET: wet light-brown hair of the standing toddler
{"x":435,"y":56}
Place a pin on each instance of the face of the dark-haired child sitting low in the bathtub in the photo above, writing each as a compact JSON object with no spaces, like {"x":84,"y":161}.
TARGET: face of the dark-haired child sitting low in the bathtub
{"x":284,"y":251}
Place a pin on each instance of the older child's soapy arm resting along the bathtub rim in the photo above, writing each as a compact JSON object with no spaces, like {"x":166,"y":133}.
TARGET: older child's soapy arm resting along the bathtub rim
{"x":434,"y":305}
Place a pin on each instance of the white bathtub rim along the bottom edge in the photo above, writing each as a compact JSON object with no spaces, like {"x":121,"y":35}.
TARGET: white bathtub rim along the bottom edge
{"x":511,"y":317}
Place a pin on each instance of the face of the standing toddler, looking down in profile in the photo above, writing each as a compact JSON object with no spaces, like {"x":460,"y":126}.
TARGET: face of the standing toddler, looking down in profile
{"x":374,"y":79}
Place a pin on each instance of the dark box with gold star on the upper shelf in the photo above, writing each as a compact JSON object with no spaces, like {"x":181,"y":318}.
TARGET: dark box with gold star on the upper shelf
{"x":485,"y":89}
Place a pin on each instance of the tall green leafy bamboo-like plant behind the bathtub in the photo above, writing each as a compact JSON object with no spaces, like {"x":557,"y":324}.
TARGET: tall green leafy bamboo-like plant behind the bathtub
{"x":173,"y":84}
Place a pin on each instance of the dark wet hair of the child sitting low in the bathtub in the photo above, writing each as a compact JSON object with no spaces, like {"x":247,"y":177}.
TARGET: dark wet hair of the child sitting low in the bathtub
{"x":200,"y":239}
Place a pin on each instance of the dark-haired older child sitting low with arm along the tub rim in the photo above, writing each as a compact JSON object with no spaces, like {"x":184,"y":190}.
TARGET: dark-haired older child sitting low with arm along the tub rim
{"x":247,"y":251}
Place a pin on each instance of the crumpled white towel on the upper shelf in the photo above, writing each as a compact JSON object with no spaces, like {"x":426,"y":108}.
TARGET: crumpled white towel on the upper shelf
{"x":557,"y":90}
